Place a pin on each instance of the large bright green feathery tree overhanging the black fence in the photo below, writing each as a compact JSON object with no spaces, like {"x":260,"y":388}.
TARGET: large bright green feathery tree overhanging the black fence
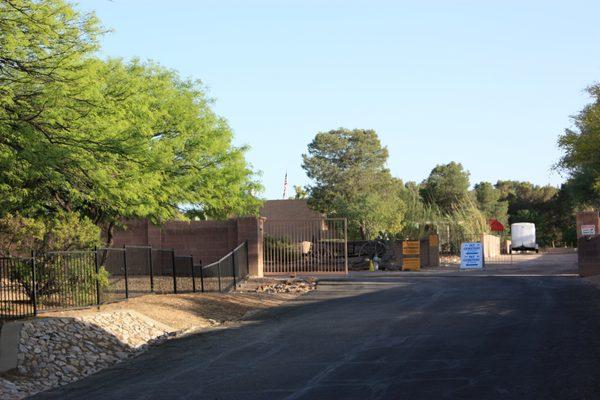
{"x":106,"y":139}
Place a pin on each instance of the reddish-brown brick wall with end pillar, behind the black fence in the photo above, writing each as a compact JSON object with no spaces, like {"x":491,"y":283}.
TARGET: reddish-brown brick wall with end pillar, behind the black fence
{"x":205,"y":241}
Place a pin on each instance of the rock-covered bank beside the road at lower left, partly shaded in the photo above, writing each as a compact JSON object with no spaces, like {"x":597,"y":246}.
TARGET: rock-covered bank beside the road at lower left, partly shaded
{"x":56,"y":351}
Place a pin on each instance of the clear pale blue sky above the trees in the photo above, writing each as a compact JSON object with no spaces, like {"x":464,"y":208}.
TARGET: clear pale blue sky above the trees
{"x":489,"y":84}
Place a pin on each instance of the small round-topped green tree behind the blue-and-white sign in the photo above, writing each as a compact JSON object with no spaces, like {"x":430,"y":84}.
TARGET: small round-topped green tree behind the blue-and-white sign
{"x":446,"y":186}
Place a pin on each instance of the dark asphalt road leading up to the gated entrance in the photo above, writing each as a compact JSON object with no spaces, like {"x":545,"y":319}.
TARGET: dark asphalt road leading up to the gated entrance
{"x":461,"y":336}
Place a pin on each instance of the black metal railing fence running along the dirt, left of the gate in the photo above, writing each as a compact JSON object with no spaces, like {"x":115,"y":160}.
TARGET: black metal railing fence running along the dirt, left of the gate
{"x":76,"y":279}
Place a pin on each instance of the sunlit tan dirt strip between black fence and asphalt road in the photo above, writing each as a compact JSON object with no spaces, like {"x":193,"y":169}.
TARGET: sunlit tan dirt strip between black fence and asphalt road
{"x":189,"y":311}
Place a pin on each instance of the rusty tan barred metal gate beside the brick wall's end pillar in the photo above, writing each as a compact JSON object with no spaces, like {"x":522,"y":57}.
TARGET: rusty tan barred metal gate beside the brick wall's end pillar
{"x":311,"y":246}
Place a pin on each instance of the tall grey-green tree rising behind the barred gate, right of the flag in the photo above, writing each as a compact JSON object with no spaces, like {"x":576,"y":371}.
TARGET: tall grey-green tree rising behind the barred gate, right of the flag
{"x":350,"y":180}
